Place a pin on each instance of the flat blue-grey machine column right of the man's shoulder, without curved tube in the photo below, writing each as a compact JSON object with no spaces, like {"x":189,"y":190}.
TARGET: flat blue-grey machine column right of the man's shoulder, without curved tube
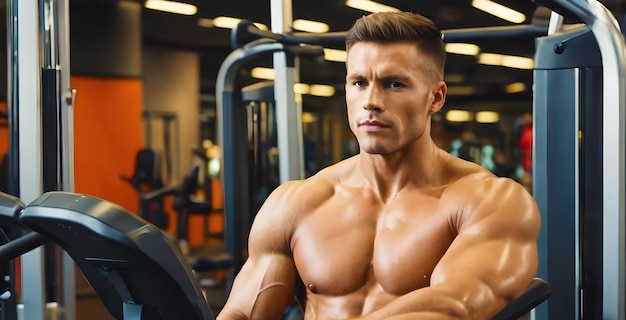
{"x":568,"y":85}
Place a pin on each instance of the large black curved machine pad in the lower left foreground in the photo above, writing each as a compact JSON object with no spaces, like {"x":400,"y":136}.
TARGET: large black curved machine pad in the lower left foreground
{"x":124,"y":258}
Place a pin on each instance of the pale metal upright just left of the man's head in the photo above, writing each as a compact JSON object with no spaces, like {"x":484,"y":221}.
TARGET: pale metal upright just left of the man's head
{"x":288,"y":113}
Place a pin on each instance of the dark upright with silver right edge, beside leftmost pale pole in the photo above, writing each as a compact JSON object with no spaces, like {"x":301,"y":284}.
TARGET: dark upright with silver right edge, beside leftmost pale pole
{"x":57,"y":141}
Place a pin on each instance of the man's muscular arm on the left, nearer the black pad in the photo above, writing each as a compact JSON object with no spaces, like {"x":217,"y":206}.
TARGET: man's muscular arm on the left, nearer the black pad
{"x":265,"y":285}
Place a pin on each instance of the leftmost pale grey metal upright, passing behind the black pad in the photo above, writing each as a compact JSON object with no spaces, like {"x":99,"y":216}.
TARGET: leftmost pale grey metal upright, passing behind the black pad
{"x":28,"y":100}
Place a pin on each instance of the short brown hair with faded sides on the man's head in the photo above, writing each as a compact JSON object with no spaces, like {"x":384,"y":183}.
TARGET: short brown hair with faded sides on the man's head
{"x":387,"y":27}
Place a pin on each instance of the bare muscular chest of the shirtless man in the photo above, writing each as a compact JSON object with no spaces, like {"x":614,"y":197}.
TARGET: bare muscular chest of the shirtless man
{"x":342,"y":248}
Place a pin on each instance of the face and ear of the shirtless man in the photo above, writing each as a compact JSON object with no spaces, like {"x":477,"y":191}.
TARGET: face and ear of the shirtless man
{"x":391,"y":92}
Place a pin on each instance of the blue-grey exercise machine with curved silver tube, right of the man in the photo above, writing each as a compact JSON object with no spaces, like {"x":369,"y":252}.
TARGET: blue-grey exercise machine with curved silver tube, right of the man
{"x":579,"y":159}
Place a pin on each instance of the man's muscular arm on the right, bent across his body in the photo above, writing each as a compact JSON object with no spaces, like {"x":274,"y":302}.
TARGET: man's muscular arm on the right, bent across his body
{"x":490,"y":263}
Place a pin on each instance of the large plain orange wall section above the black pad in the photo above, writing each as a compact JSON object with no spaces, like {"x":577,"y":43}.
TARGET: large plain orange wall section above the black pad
{"x":107,"y":135}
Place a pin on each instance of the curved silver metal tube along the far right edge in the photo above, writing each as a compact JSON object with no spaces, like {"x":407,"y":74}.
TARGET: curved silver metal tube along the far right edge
{"x":611,"y":43}
